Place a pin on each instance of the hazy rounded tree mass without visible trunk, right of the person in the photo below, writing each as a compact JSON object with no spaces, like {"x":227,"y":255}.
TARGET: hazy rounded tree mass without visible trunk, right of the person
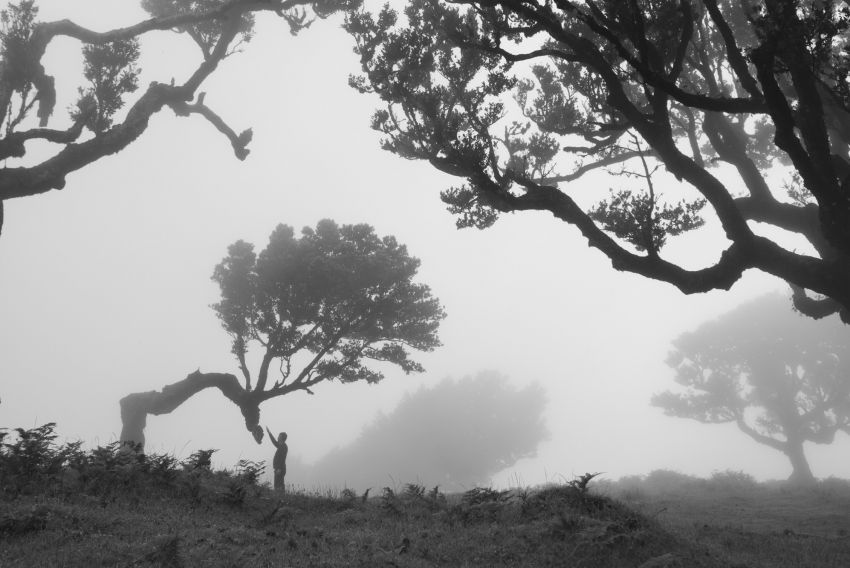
{"x":456,"y":434}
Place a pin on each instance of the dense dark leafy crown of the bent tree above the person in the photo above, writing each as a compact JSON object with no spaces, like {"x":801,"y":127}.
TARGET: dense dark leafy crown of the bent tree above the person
{"x":341,"y":293}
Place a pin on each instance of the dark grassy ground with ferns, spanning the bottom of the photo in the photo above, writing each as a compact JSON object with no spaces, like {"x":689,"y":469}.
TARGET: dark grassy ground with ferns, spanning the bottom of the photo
{"x":65,"y":507}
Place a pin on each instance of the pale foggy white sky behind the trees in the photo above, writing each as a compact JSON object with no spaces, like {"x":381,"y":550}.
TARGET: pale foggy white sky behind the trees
{"x":105,"y":286}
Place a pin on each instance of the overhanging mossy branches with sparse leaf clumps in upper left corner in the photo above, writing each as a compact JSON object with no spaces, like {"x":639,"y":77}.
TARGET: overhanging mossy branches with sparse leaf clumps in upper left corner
{"x":97,"y":124}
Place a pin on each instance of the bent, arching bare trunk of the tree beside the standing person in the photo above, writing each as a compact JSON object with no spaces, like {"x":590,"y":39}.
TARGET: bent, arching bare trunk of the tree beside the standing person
{"x":136,"y":407}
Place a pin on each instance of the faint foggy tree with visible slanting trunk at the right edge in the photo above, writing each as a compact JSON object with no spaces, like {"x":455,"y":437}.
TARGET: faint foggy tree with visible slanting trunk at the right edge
{"x":782,"y":378}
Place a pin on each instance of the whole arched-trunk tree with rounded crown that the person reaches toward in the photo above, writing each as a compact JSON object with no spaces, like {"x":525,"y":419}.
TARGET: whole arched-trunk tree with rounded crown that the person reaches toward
{"x":327,"y":306}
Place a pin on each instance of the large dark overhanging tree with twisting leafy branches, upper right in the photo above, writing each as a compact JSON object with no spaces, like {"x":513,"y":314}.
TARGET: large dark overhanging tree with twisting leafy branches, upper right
{"x":718,"y":99}
